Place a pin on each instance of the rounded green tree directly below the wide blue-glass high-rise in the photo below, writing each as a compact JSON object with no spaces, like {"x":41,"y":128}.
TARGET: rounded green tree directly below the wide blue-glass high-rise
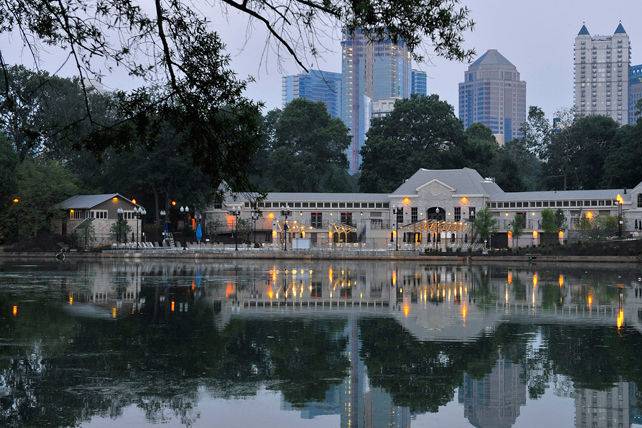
{"x":304,"y":150}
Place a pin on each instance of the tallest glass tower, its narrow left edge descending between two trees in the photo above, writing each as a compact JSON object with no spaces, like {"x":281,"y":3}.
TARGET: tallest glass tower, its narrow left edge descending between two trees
{"x":371,"y":71}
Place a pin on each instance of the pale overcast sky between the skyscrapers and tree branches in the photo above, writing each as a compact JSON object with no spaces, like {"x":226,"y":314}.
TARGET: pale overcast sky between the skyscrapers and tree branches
{"x":536,"y":36}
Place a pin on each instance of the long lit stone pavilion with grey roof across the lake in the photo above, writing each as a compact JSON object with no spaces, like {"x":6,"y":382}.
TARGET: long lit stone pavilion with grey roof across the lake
{"x":431,"y":209}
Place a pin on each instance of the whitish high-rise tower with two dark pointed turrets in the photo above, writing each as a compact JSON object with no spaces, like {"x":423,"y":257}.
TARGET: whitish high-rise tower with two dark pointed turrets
{"x":602,"y":74}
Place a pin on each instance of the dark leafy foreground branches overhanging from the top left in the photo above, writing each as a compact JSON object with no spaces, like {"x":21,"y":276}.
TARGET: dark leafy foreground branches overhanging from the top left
{"x":194,"y":88}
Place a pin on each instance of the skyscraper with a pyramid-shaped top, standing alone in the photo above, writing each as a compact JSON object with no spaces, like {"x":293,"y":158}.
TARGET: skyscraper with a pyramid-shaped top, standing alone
{"x":493,"y":95}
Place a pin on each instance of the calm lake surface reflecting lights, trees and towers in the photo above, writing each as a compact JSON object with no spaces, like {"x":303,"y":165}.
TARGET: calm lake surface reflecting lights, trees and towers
{"x":296,"y":344}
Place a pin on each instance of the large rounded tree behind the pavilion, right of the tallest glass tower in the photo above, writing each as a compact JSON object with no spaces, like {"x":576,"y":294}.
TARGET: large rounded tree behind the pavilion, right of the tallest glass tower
{"x":420,"y":132}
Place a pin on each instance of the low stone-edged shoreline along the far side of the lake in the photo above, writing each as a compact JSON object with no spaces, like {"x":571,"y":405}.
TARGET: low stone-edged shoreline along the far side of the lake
{"x":111,"y":255}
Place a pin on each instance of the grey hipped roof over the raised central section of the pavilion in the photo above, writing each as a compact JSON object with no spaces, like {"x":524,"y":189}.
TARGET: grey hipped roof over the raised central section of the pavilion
{"x":464,"y":181}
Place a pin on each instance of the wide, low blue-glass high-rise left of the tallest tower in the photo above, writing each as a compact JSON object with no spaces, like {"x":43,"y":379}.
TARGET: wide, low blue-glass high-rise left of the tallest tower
{"x":315,"y":85}
